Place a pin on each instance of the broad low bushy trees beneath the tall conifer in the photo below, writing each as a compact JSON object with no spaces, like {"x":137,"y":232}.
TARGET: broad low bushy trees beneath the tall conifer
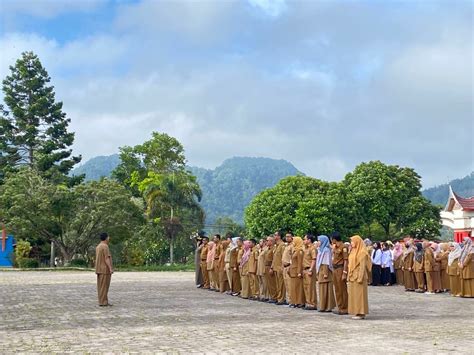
{"x":71,"y":218}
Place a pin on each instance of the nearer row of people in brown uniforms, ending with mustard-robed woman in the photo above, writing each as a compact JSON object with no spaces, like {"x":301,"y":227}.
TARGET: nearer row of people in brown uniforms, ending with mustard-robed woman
{"x":299,"y":272}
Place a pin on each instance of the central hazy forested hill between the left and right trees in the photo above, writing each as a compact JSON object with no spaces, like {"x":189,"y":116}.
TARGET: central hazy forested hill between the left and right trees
{"x":230,"y":187}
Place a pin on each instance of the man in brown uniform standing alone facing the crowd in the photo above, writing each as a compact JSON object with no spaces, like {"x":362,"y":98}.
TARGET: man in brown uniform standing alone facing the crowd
{"x":103,"y":269}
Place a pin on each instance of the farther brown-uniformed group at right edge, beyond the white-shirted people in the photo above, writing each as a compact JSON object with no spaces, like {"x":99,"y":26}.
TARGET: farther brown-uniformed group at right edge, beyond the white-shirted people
{"x":428,"y":267}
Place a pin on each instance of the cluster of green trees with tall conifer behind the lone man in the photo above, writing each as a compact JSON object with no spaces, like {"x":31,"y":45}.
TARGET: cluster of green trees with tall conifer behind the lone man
{"x":150,"y":207}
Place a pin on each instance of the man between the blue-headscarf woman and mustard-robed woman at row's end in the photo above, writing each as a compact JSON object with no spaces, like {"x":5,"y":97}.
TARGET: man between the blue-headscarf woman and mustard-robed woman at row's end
{"x":340,"y":264}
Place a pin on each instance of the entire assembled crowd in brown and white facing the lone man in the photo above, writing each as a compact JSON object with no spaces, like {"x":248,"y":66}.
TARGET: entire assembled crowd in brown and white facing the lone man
{"x":324,"y":273}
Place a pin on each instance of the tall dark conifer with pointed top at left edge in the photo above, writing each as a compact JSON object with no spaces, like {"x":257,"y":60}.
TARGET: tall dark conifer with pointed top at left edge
{"x":33,"y":127}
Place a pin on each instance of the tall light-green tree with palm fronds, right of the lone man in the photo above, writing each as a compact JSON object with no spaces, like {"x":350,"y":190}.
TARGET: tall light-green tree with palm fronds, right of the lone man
{"x":155,"y":170}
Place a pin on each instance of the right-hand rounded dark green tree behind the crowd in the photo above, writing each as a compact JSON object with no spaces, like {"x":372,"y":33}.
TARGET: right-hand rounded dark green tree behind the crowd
{"x":381,"y":191}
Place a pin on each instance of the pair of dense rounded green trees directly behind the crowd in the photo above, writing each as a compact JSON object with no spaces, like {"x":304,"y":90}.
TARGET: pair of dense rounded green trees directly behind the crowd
{"x":375,"y":199}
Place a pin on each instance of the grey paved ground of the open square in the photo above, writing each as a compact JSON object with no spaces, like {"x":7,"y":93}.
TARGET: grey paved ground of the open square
{"x":164,"y":313}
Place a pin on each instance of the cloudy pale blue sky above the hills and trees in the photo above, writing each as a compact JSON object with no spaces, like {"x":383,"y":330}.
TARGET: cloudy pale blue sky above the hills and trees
{"x":324,"y":84}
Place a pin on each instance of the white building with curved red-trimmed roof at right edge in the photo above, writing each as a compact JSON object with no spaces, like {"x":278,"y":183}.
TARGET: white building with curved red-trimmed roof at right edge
{"x":458,"y":215}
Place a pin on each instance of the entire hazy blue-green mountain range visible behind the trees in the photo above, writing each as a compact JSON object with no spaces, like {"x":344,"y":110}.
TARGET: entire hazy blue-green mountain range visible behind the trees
{"x":230,"y":187}
